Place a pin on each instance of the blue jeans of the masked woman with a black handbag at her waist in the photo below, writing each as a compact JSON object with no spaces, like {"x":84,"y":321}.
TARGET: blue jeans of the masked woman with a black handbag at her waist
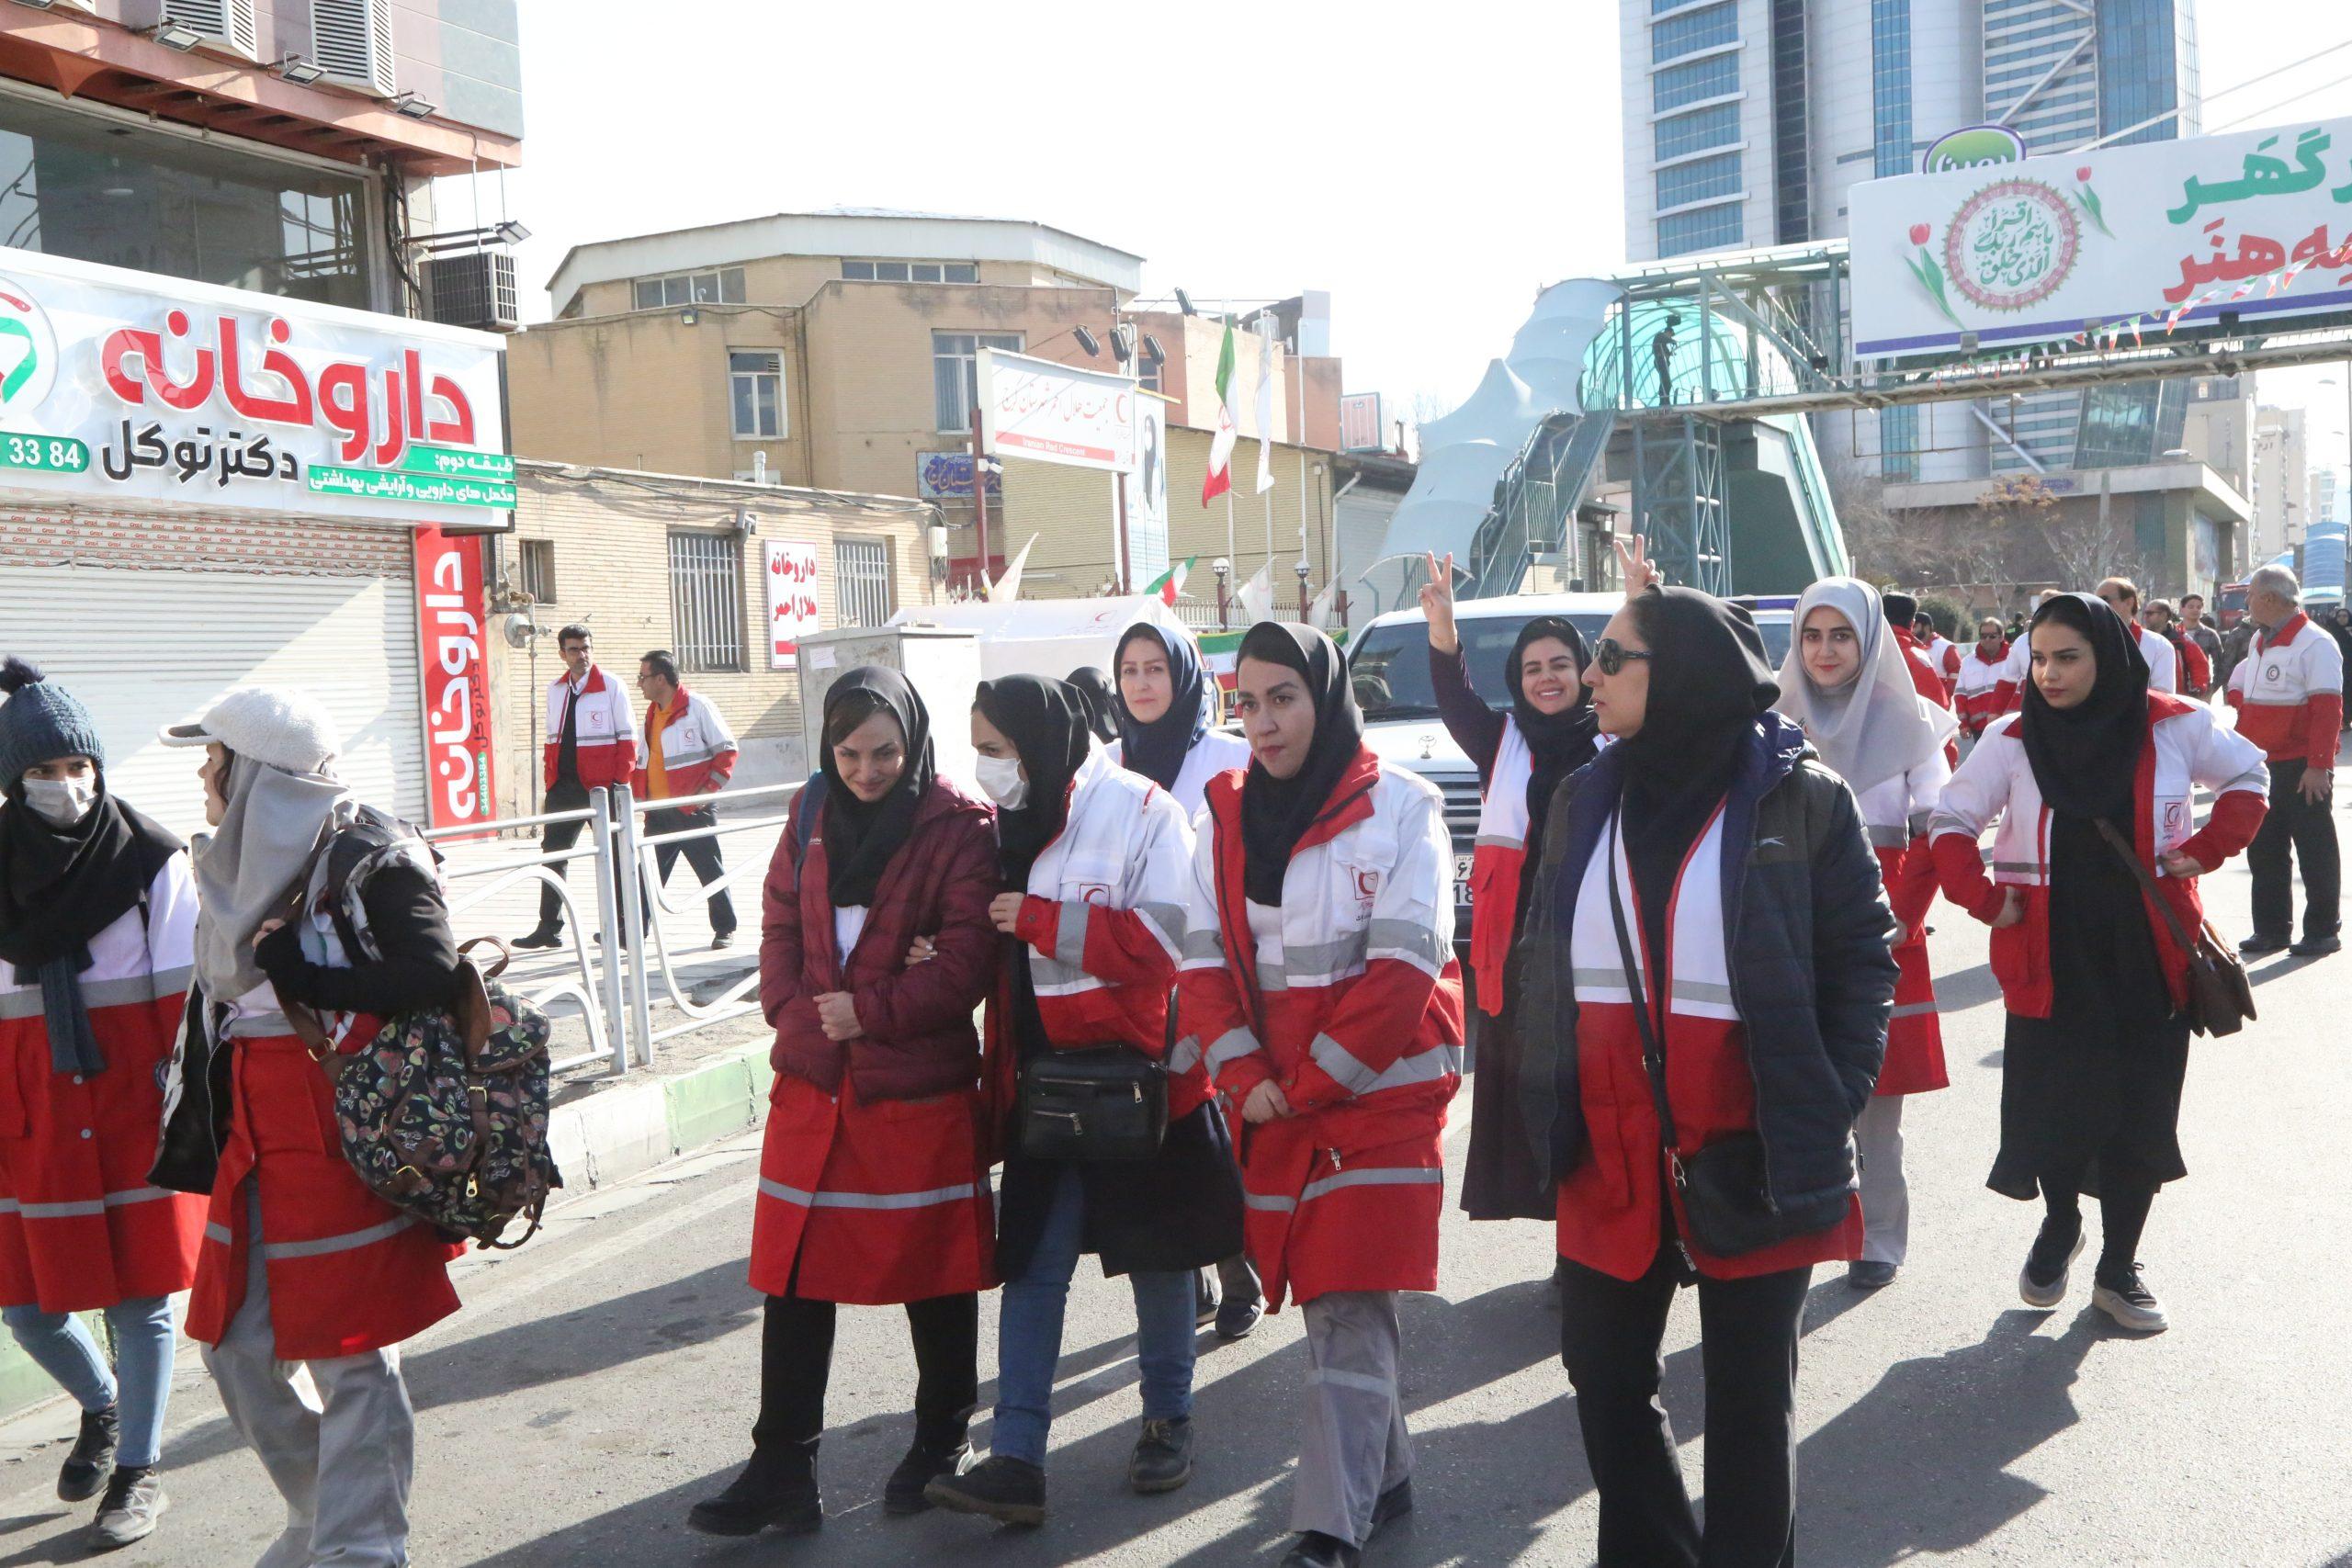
{"x":1029,"y":1334}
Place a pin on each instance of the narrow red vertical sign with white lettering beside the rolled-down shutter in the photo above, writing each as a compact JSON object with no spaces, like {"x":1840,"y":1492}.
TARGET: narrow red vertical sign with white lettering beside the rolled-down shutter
{"x":455,"y":678}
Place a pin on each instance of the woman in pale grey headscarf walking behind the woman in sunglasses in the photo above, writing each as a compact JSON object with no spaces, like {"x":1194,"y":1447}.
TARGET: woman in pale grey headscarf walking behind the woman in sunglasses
{"x":1850,"y":685}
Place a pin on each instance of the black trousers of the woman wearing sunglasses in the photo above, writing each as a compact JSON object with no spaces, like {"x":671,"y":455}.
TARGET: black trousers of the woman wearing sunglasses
{"x":1610,"y":1336}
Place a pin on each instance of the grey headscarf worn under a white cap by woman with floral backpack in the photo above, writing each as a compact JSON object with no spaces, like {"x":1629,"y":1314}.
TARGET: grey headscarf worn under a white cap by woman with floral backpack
{"x":248,"y":866}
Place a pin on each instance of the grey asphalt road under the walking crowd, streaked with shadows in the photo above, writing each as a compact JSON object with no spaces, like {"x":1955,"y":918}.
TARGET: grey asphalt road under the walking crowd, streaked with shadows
{"x":603,"y":1379}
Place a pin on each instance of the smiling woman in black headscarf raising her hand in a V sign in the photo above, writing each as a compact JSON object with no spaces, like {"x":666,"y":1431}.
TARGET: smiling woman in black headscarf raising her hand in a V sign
{"x":1521,"y":758}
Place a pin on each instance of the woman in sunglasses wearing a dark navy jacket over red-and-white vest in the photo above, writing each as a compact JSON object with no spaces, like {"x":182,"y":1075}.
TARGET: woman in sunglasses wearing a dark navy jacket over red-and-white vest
{"x":1704,"y":1005}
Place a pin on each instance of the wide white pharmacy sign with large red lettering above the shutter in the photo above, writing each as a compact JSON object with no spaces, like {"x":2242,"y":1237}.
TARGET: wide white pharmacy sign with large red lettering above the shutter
{"x":140,"y":389}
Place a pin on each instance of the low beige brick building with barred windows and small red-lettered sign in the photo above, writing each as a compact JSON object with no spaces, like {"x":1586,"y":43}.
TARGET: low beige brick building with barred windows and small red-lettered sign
{"x":679,"y":563}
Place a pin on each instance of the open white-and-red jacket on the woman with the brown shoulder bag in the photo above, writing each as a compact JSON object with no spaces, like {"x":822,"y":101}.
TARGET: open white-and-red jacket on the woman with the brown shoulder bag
{"x":2189,"y":749}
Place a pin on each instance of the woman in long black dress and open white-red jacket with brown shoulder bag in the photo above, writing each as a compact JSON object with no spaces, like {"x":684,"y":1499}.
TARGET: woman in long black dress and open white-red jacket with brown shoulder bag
{"x":2094,"y":981}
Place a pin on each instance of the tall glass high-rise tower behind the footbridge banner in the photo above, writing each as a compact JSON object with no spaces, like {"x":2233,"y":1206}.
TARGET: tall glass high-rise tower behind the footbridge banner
{"x":1751,"y":121}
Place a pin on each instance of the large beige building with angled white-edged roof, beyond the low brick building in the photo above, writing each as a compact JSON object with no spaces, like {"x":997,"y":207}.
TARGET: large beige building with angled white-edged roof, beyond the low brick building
{"x":836,"y":351}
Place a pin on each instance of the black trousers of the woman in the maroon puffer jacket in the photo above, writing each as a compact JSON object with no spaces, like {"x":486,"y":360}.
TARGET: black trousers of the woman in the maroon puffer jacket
{"x":796,"y":1362}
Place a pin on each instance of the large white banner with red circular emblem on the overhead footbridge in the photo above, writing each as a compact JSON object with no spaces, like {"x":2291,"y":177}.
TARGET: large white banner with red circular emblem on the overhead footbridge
{"x":2109,"y":246}
